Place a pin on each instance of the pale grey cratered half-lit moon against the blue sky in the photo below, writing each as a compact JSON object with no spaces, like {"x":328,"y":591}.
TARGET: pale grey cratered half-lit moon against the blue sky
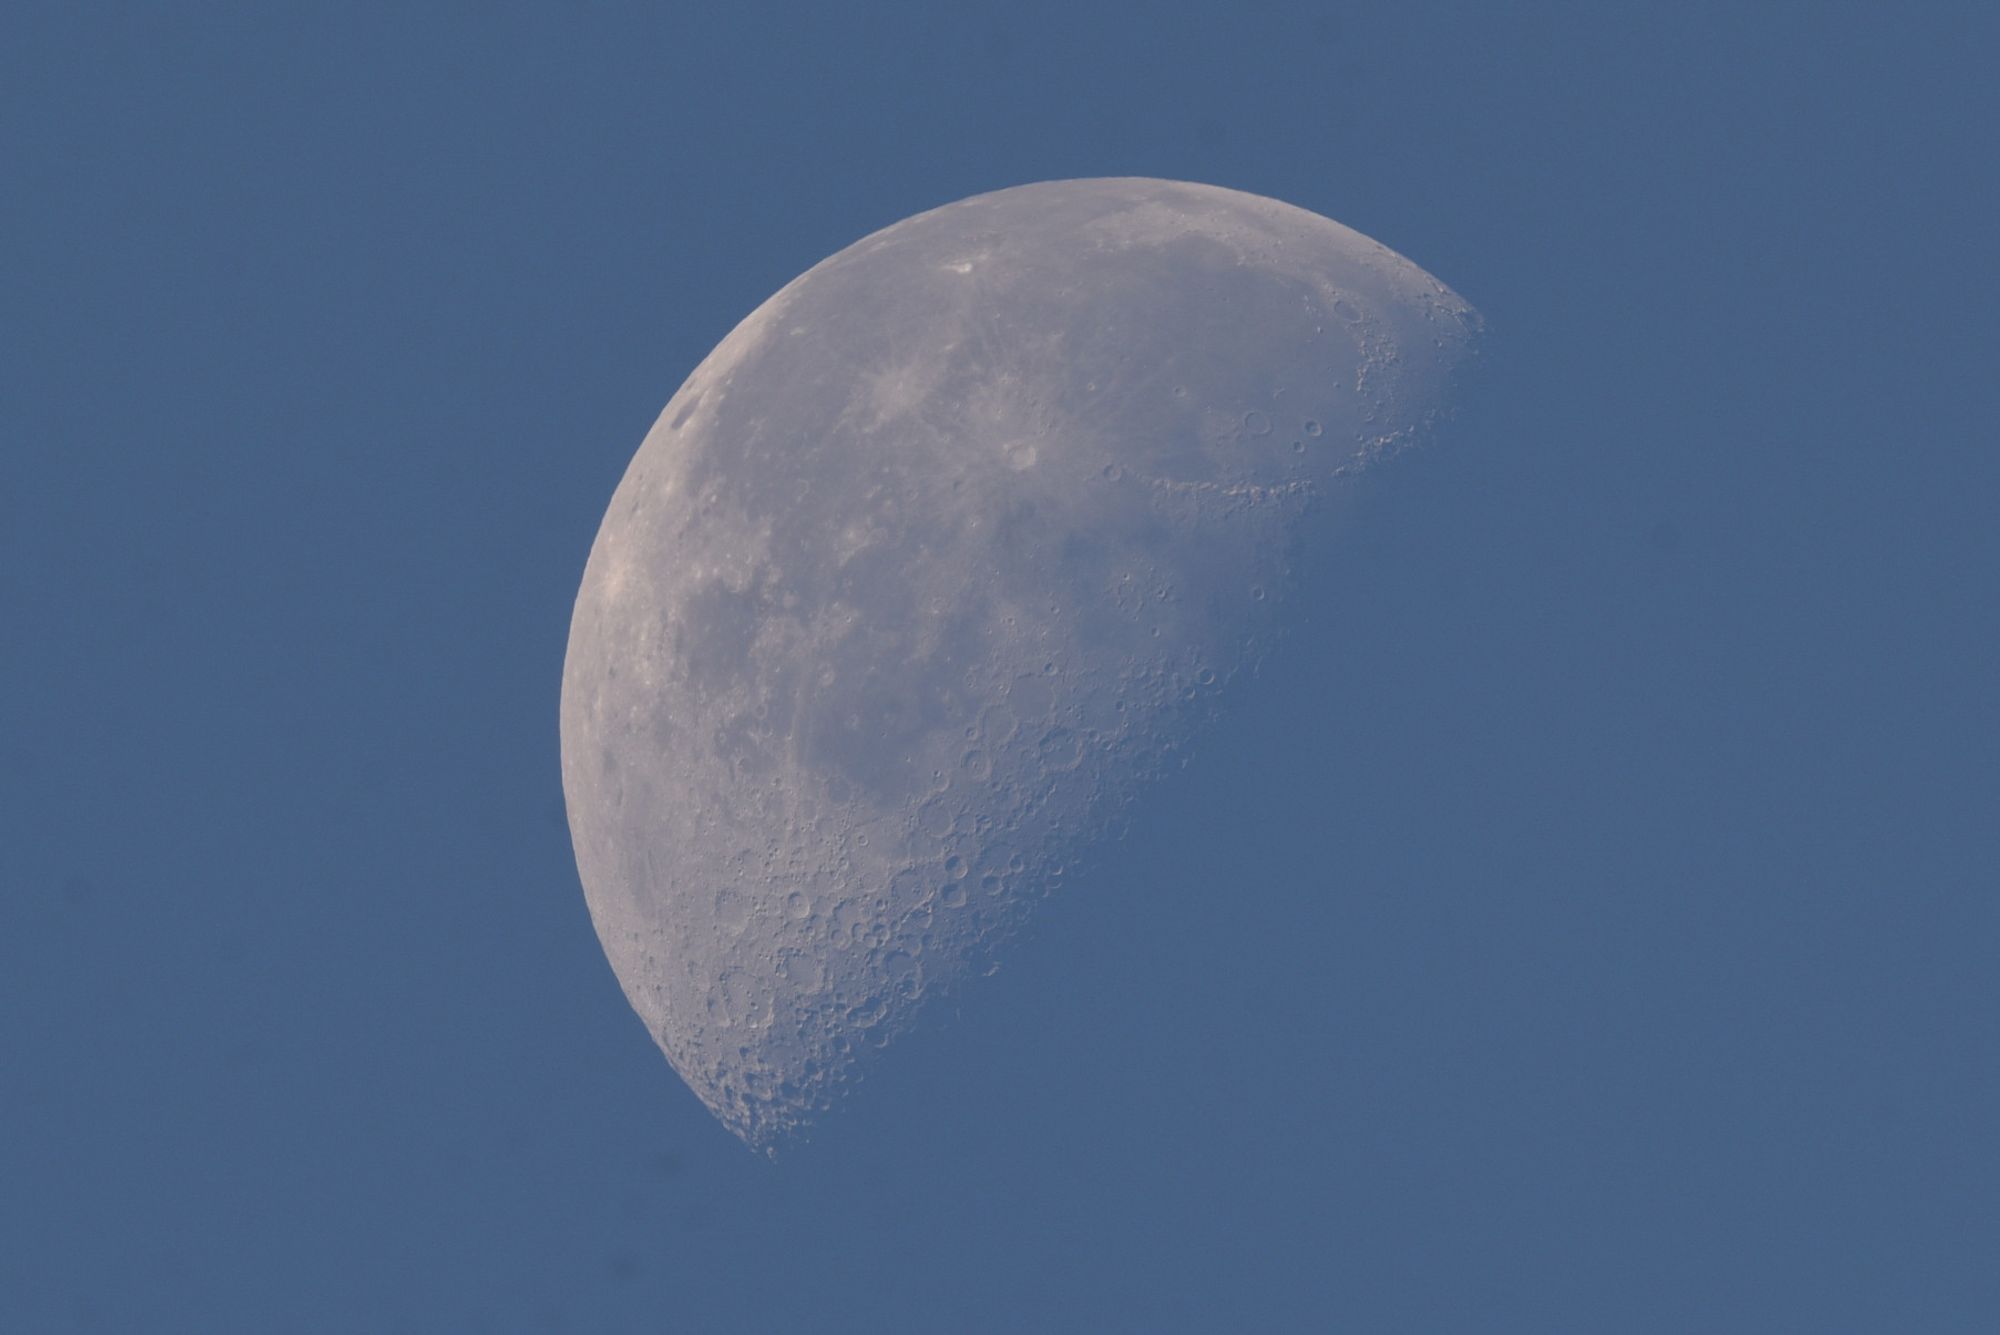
{"x":929,"y":569}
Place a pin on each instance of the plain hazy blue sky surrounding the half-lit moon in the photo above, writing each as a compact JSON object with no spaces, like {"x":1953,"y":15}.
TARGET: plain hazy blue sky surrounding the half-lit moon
{"x":1589,"y":928}
